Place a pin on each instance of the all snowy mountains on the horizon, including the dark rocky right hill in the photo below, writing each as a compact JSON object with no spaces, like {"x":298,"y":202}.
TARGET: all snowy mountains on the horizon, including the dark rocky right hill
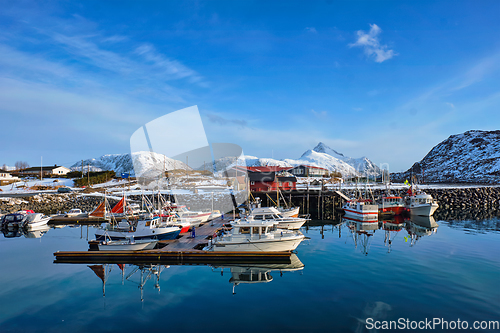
{"x":471,"y":157}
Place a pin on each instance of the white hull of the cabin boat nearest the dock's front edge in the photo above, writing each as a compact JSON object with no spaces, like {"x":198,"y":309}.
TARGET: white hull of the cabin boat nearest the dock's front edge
{"x":266,"y":245}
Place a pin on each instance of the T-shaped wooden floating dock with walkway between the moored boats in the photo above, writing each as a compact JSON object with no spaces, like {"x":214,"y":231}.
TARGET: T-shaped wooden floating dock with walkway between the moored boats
{"x":185,"y":250}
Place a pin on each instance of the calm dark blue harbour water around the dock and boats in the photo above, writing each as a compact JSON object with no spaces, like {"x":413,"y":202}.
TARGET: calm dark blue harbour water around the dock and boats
{"x":344,"y":274}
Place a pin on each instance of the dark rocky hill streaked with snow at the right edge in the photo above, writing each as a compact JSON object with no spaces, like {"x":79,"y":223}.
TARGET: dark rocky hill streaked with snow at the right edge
{"x":473,"y":156}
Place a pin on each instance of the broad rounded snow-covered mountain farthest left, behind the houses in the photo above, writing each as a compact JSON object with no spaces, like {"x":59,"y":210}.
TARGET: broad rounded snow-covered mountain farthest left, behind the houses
{"x":143,"y":161}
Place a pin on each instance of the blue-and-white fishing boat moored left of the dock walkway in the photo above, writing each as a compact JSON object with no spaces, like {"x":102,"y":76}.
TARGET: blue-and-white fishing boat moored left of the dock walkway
{"x":144,"y":228}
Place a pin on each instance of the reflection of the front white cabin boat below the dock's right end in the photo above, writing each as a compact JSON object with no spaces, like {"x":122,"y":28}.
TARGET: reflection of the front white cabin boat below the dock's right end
{"x":259,"y":273}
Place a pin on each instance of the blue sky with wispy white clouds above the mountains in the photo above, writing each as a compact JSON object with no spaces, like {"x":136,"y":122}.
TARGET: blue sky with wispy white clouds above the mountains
{"x":382,"y":79}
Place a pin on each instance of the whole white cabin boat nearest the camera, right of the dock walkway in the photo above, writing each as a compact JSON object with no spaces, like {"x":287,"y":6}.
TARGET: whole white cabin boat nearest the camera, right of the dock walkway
{"x":254,"y":235}
